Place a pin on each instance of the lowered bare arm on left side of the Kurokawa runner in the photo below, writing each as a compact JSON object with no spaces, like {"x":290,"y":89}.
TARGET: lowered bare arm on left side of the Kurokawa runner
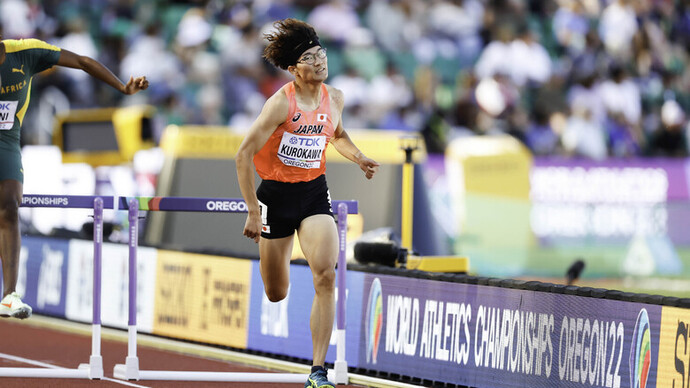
{"x":272,"y":115}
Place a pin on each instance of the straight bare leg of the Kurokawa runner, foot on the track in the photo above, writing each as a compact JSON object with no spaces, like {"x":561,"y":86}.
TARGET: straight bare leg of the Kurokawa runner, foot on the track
{"x":318,"y":237}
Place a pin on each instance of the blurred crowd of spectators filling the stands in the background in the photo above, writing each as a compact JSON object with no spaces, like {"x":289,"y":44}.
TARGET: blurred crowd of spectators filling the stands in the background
{"x":585,"y":78}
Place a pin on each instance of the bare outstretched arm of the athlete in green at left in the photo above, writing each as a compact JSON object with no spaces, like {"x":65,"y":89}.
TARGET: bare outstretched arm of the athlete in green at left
{"x":99,"y":71}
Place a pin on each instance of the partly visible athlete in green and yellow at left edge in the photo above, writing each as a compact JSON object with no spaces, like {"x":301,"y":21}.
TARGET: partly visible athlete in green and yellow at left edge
{"x":19,"y":61}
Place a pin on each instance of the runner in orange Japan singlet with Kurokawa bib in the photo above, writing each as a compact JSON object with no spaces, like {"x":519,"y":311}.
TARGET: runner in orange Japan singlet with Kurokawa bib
{"x":287,"y":144}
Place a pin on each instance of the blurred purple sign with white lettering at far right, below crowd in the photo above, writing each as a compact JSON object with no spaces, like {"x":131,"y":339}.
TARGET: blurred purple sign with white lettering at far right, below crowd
{"x":610,"y":201}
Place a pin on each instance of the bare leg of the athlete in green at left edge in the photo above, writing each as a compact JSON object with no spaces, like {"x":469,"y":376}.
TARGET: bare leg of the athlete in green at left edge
{"x":10,"y":243}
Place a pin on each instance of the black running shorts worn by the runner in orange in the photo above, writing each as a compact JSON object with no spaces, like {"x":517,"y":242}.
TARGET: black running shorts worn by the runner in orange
{"x":284,"y":205}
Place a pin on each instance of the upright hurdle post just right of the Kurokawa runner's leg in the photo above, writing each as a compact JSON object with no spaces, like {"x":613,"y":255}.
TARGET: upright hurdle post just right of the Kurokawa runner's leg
{"x":340,"y":365}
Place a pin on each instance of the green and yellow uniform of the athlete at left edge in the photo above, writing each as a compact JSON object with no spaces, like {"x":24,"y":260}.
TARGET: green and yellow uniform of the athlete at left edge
{"x":23,"y":59}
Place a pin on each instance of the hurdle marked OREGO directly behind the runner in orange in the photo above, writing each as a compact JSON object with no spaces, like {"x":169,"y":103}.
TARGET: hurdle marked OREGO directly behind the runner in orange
{"x":130,"y":369}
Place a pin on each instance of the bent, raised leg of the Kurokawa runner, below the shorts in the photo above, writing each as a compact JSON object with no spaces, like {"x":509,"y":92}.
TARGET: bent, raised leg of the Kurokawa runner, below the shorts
{"x":275,"y":266}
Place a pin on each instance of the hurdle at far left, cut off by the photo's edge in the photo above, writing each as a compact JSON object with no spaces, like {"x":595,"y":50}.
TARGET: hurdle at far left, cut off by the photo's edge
{"x":94,"y":368}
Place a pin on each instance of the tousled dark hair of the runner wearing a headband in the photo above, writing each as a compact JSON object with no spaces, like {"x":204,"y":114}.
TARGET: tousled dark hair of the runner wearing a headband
{"x":291,"y":38}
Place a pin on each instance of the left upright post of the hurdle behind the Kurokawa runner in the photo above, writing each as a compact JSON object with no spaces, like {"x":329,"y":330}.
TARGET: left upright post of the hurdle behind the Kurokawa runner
{"x":130,"y":369}
